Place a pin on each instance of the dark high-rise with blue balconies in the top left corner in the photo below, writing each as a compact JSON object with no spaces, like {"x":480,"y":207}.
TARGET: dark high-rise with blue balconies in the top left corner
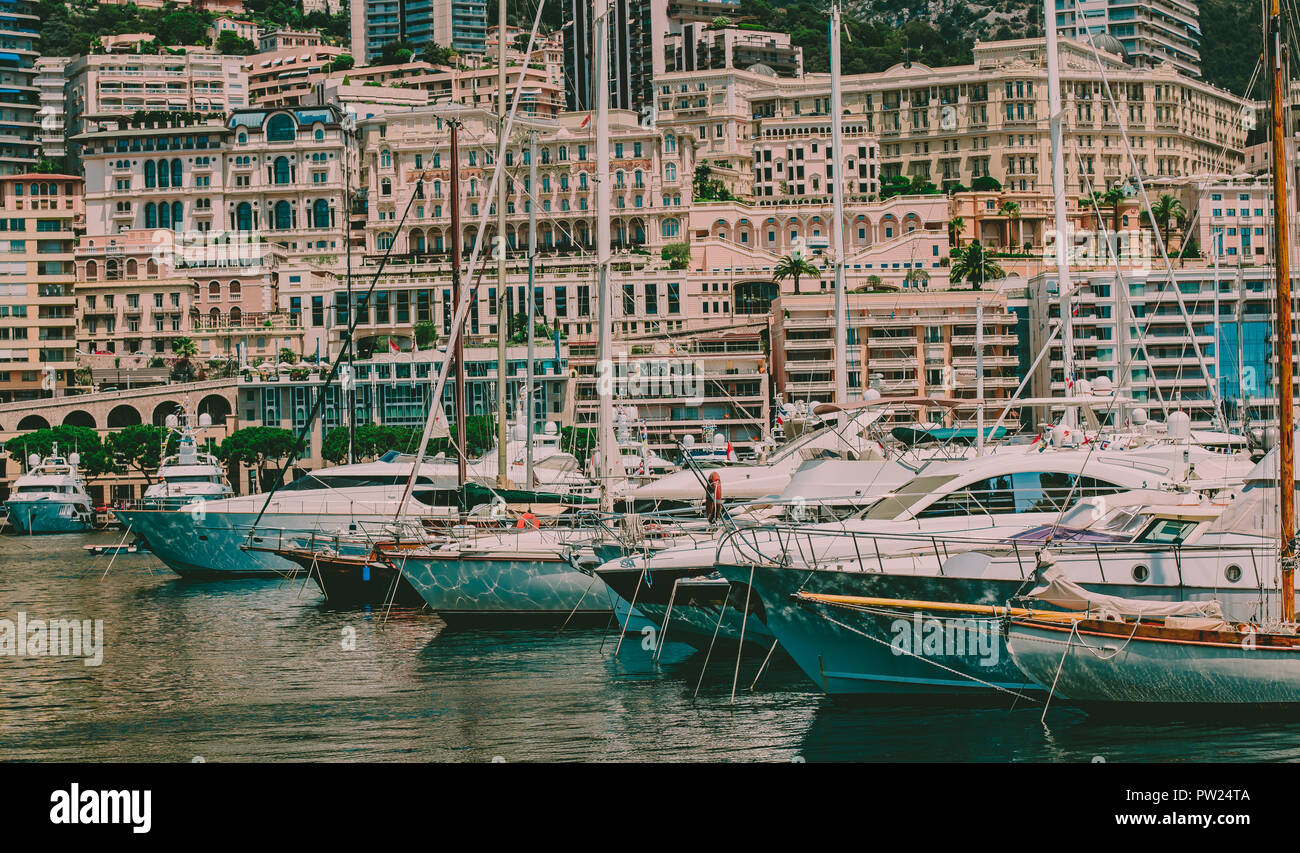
{"x":19,"y":97}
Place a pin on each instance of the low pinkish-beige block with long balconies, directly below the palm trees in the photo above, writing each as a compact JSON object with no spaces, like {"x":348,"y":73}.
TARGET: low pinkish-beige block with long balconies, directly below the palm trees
{"x":902,"y":344}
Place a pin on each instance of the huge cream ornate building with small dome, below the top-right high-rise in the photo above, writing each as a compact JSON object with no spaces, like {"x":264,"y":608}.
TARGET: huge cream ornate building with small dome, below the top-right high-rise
{"x":954,"y":125}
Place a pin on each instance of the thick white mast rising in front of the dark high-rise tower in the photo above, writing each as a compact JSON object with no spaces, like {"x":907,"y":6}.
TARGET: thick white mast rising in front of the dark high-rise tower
{"x":608,"y":448}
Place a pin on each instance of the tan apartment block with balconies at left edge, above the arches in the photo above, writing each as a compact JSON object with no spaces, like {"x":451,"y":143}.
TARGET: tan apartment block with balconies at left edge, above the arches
{"x":41,"y":217}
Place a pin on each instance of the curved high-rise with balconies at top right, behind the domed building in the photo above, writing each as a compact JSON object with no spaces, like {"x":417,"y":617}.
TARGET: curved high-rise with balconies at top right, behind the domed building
{"x":1150,"y":32}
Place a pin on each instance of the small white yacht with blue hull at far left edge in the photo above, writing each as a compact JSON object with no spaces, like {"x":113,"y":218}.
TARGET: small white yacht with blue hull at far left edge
{"x":51,"y":497}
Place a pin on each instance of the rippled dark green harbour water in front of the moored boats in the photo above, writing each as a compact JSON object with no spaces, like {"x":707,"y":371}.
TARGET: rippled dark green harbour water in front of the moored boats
{"x":258,"y":672}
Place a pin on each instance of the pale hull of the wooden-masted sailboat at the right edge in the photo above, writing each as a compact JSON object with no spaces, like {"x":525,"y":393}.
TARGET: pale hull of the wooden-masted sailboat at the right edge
{"x":1103,"y":670}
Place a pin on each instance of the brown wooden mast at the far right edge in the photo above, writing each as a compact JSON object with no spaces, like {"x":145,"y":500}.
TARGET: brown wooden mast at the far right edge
{"x":1286,"y":387}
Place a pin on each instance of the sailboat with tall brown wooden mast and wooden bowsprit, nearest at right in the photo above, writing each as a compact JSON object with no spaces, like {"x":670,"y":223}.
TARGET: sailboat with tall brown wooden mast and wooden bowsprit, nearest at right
{"x":1120,"y":655}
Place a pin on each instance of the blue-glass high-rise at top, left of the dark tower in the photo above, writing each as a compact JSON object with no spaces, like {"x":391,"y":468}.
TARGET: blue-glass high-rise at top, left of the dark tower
{"x":461,"y":25}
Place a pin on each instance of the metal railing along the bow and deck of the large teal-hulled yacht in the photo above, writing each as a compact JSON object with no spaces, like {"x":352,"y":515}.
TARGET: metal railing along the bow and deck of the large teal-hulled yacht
{"x":801,"y":547}
